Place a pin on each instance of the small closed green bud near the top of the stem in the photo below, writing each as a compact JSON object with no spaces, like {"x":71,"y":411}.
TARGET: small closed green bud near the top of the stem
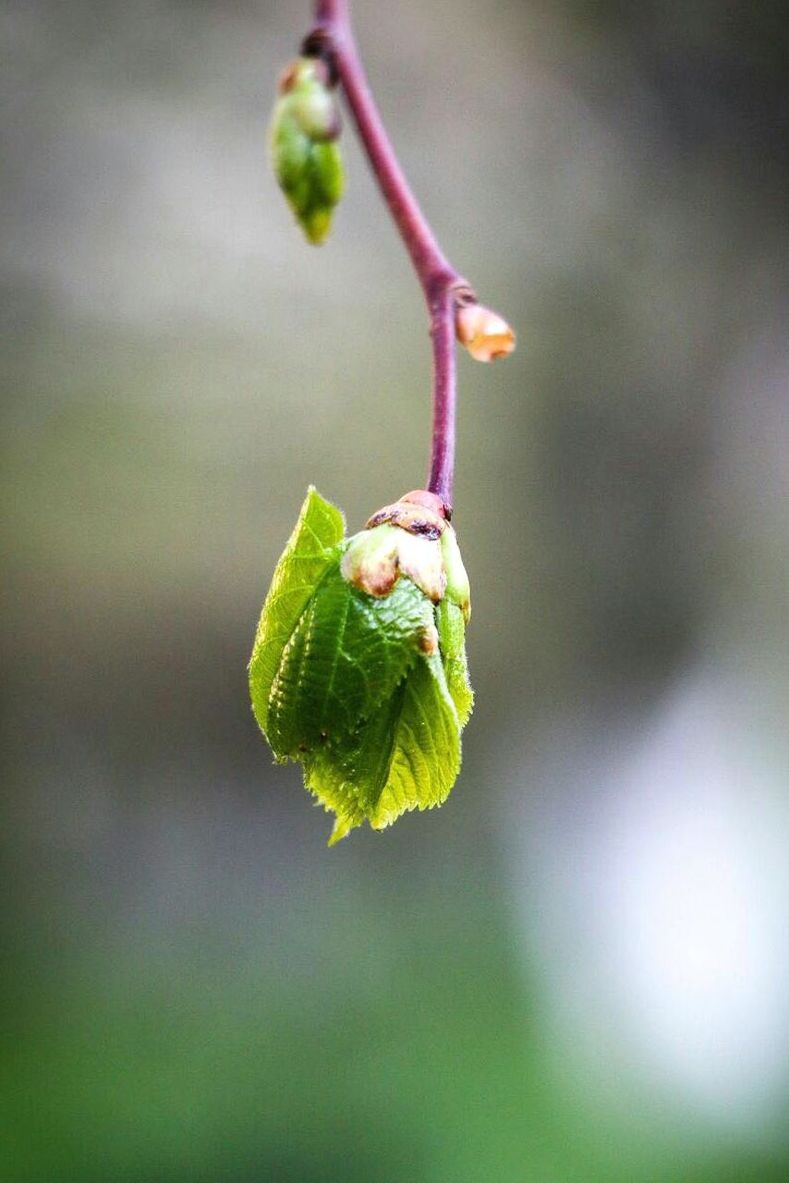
{"x":305,"y":150}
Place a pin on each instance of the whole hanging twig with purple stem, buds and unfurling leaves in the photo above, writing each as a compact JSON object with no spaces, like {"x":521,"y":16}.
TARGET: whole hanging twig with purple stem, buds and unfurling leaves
{"x":418,"y":620}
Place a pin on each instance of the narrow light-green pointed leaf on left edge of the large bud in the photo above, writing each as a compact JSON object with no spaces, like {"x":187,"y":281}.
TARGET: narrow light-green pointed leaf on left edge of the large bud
{"x":312,"y":551}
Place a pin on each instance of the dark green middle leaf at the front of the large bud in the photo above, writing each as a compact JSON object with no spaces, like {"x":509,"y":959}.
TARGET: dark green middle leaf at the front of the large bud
{"x":347,"y":654}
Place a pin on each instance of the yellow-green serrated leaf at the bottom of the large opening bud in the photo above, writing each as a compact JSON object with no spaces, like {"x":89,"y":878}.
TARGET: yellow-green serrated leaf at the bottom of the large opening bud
{"x":408,"y":755}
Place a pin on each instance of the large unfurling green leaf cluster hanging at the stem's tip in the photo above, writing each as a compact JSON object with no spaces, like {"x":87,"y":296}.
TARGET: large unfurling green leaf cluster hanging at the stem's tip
{"x":359,"y":669}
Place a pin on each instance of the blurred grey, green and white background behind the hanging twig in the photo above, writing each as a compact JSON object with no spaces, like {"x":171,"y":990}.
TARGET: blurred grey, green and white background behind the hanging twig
{"x":579,"y":969}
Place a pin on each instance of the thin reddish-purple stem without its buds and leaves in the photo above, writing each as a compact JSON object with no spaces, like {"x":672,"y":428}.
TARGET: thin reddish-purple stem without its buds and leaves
{"x":442,"y":285}
